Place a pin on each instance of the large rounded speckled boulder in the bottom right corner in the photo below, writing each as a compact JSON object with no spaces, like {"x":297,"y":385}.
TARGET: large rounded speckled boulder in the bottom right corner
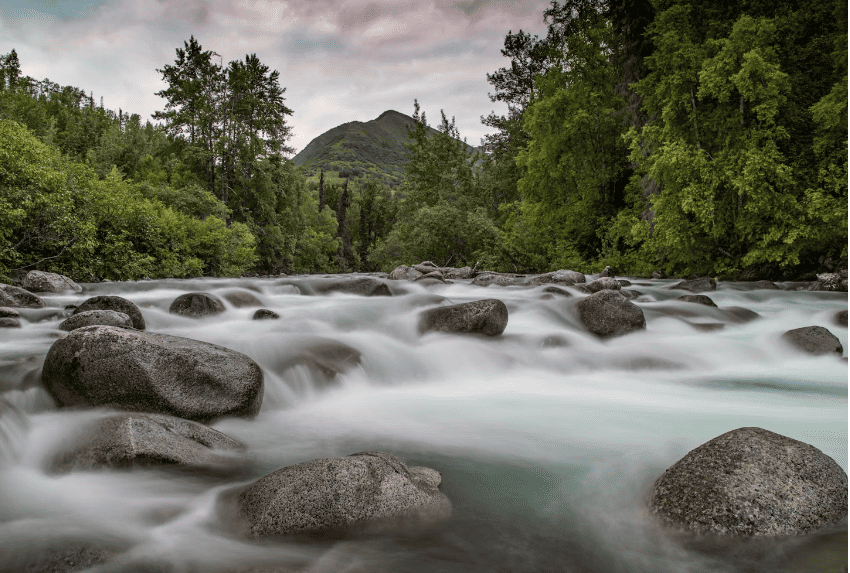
{"x":752,"y":482}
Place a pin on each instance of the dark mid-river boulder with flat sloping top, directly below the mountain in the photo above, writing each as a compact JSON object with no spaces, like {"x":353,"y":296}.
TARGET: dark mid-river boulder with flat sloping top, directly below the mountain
{"x":488,"y":317}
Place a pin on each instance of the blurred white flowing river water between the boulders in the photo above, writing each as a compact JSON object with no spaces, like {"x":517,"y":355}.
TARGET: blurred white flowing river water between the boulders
{"x":548,"y":439}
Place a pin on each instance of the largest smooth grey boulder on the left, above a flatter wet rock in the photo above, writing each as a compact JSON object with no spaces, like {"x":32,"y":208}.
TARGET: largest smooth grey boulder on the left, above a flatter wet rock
{"x":157,"y":373}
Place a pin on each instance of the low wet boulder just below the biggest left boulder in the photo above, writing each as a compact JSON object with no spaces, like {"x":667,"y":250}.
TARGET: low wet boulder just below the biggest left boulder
{"x":130,"y":440}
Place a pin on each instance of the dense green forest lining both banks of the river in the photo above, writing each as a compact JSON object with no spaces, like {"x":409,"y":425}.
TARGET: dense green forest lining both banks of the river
{"x":685,"y":136}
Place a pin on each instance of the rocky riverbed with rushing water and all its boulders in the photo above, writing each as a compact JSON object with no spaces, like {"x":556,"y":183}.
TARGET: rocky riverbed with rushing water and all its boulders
{"x":429,"y":420}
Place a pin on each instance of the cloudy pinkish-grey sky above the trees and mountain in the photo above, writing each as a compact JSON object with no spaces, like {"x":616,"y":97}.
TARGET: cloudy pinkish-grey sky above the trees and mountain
{"x":339,"y":60}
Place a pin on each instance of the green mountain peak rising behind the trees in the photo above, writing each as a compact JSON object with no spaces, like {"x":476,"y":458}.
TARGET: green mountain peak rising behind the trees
{"x":356,"y":148}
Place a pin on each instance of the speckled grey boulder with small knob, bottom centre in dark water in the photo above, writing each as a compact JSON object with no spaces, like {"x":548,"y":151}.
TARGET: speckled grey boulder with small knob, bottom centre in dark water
{"x":334,"y":494}
